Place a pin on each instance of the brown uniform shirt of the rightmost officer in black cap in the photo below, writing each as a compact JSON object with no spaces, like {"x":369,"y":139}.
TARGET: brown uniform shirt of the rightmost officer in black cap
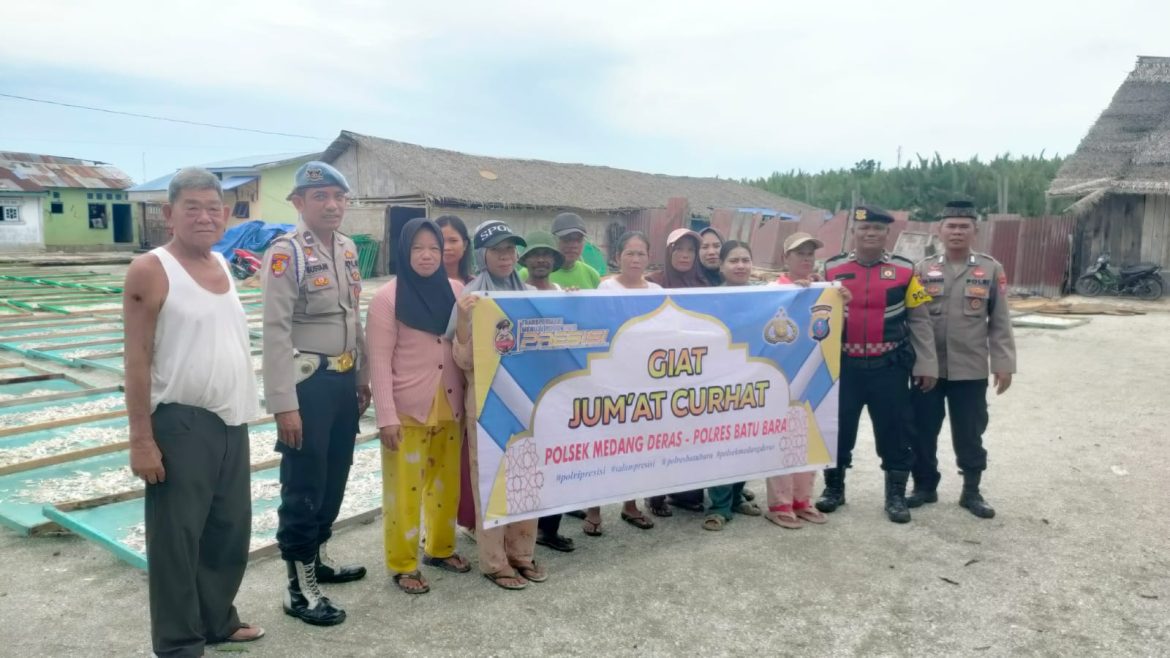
{"x":972,"y":320}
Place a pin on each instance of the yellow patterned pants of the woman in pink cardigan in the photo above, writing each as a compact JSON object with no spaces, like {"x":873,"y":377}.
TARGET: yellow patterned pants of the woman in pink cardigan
{"x":421,"y":477}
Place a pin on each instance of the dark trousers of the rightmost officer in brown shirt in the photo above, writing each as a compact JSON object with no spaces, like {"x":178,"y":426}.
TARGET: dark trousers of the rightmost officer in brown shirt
{"x":966,"y":401}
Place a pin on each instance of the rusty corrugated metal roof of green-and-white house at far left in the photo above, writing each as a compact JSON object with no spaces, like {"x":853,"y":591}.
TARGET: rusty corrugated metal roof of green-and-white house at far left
{"x":35,"y":173}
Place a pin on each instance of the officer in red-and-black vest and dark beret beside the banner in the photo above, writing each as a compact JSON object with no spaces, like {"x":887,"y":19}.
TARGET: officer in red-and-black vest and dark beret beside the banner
{"x":887,"y":339}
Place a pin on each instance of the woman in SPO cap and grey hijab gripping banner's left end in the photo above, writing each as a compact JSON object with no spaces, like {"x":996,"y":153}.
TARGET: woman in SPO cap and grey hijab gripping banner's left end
{"x":506,"y":553}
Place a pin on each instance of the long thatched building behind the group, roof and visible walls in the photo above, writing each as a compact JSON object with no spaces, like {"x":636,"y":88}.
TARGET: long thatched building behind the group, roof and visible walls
{"x":393,"y":182}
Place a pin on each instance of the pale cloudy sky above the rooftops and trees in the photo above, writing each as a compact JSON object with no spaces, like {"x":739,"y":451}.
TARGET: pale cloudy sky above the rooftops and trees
{"x":733,"y":90}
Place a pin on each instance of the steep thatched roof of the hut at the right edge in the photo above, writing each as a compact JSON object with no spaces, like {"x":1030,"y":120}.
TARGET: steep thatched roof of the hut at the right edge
{"x":1128,"y":149}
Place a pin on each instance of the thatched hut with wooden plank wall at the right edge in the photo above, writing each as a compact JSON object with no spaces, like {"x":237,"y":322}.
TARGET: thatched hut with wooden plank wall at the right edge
{"x":1120,"y":175}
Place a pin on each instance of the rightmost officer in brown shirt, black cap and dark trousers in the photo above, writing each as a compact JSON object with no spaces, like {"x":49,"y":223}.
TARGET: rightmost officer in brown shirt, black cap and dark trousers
{"x":973,"y":327}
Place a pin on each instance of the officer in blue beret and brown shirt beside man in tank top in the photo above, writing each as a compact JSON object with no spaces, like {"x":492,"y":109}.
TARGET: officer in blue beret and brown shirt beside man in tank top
{"x":316,"y":383}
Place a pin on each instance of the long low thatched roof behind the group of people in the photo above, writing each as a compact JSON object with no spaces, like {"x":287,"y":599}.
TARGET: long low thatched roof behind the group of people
{"x":452,"y":179}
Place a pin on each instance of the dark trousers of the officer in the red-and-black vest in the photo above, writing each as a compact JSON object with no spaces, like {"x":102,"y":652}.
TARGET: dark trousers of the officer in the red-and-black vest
{"x":883,"y":386}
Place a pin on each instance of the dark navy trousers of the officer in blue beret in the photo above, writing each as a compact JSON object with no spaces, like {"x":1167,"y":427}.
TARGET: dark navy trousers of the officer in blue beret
{"x":313,"y":479}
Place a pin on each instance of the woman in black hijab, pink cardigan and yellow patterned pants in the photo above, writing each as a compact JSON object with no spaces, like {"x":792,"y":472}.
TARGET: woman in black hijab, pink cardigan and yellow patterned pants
{"x":419,"y":405}
